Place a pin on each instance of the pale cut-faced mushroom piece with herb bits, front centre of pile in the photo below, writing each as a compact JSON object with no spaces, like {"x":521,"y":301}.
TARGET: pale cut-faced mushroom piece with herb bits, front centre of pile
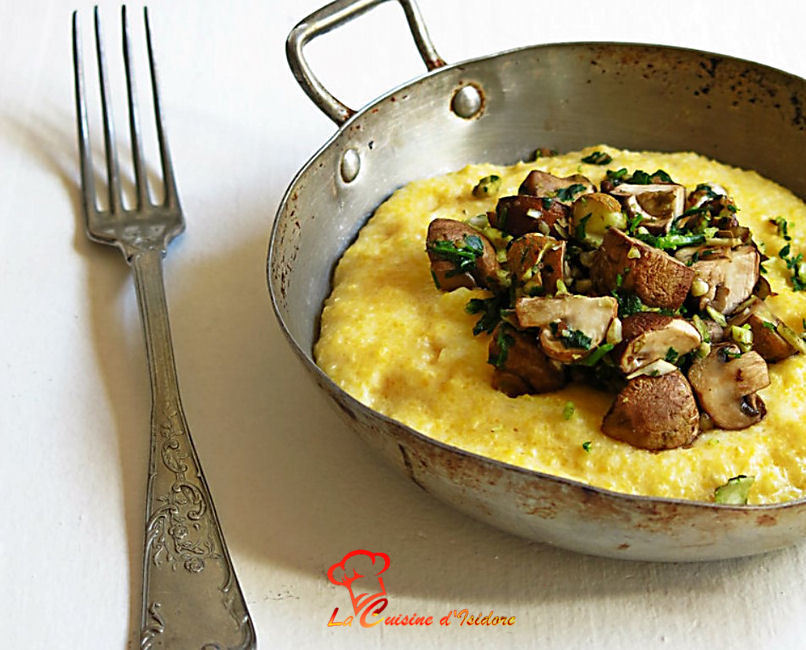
{"x":571,"y":325}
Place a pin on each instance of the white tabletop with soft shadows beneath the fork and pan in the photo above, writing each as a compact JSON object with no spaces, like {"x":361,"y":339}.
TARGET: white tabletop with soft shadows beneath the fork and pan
{"x":294,"y":488}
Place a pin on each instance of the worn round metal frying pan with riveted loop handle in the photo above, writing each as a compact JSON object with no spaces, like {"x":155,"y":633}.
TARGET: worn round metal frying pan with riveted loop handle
{"x":498,"y":108}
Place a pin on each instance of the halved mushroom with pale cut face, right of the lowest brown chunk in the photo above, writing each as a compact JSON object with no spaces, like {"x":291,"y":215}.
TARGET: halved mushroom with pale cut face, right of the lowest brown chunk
{"x":726,"y":382}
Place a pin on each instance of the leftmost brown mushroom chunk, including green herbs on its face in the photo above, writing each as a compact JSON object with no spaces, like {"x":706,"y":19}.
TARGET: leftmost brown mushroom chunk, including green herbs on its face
{"x":460,"y":256}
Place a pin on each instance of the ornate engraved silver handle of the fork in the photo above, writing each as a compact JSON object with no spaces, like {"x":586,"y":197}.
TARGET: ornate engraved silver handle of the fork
{"x":191,"y":595}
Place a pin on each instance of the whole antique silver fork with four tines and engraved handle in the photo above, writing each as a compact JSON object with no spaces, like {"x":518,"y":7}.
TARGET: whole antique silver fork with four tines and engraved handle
{"x":191,"y":595}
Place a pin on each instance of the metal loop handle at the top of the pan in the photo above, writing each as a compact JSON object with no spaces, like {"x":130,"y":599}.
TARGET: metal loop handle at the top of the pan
{"x":331,"y":16}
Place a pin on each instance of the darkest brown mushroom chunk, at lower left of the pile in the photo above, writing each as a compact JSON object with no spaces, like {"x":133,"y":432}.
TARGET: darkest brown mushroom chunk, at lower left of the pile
{"x":521,"y":367}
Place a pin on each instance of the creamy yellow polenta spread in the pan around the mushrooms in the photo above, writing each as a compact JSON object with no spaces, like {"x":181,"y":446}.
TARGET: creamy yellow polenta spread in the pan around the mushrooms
{"x":396,"y":343}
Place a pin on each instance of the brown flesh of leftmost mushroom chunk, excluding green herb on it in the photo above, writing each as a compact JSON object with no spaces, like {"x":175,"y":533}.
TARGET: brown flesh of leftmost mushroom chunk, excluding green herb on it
{"x":485,"y":269}
